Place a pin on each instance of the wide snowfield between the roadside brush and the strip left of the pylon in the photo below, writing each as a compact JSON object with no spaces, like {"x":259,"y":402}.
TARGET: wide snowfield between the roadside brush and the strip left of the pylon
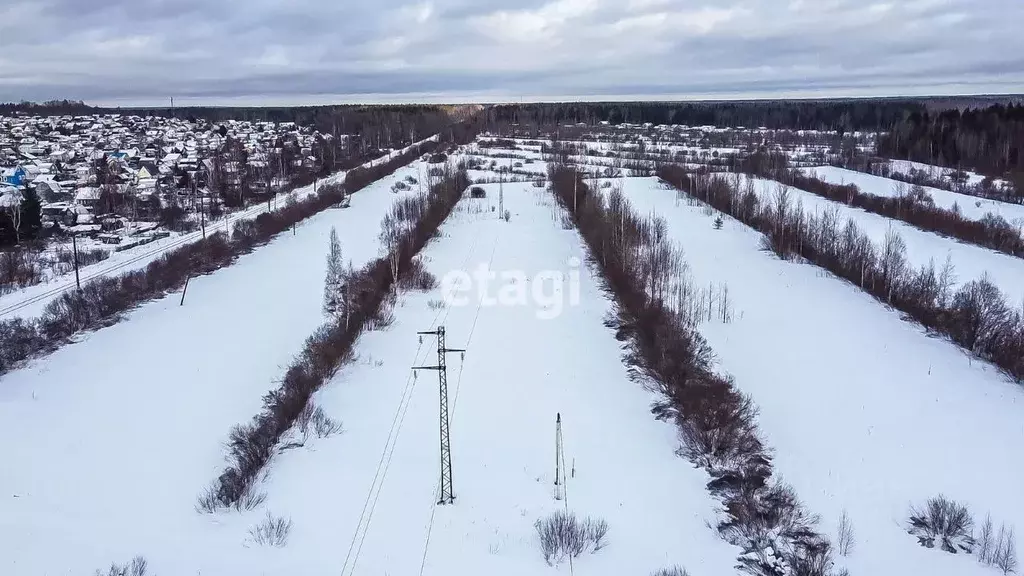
{"x":110,"y":440}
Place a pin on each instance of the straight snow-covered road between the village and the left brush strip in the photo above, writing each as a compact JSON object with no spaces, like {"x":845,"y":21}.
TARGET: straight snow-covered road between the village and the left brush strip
{"x":32,"y":301}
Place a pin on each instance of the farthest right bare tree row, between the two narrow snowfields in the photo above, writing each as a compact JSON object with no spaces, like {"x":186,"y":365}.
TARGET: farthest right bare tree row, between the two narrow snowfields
{"x":912,"y":207}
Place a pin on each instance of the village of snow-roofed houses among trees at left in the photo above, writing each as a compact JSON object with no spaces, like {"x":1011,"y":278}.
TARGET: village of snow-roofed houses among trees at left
{"x":114,"y":177}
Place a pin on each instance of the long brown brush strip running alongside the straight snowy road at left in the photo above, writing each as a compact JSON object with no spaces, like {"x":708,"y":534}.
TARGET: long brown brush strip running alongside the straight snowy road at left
{"x":104,"y":301}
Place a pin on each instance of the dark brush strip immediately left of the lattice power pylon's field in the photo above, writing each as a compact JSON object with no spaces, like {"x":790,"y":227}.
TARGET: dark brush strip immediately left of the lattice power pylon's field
{"x":410,"y":226}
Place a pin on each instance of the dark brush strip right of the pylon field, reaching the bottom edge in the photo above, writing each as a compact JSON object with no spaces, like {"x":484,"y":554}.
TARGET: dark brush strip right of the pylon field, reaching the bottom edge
{"x":645,"y":273}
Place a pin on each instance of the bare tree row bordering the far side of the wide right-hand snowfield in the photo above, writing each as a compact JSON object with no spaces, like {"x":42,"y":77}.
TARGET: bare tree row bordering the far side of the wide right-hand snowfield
{"x":976,"y":315}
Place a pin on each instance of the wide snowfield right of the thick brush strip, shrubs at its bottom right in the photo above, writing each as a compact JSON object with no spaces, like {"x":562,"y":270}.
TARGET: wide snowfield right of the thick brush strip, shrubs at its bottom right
{"x":866,"y":413}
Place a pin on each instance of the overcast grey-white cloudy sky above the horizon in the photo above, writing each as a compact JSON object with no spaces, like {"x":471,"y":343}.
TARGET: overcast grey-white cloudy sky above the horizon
{"x":314,"y":52}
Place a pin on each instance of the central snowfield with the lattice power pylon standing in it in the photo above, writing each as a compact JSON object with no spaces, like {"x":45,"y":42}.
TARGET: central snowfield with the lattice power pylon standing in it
{"x":519,"y":373}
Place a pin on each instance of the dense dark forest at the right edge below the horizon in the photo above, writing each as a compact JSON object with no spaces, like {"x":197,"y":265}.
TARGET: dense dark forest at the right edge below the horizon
{"x":990,"y":141}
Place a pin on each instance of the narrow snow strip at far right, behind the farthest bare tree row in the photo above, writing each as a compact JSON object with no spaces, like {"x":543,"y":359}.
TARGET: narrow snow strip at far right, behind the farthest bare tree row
{"x":971,"y":207}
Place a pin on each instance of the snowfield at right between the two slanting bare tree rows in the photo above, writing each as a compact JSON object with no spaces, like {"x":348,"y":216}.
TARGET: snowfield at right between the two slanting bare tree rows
{"x":970,"y":261}
